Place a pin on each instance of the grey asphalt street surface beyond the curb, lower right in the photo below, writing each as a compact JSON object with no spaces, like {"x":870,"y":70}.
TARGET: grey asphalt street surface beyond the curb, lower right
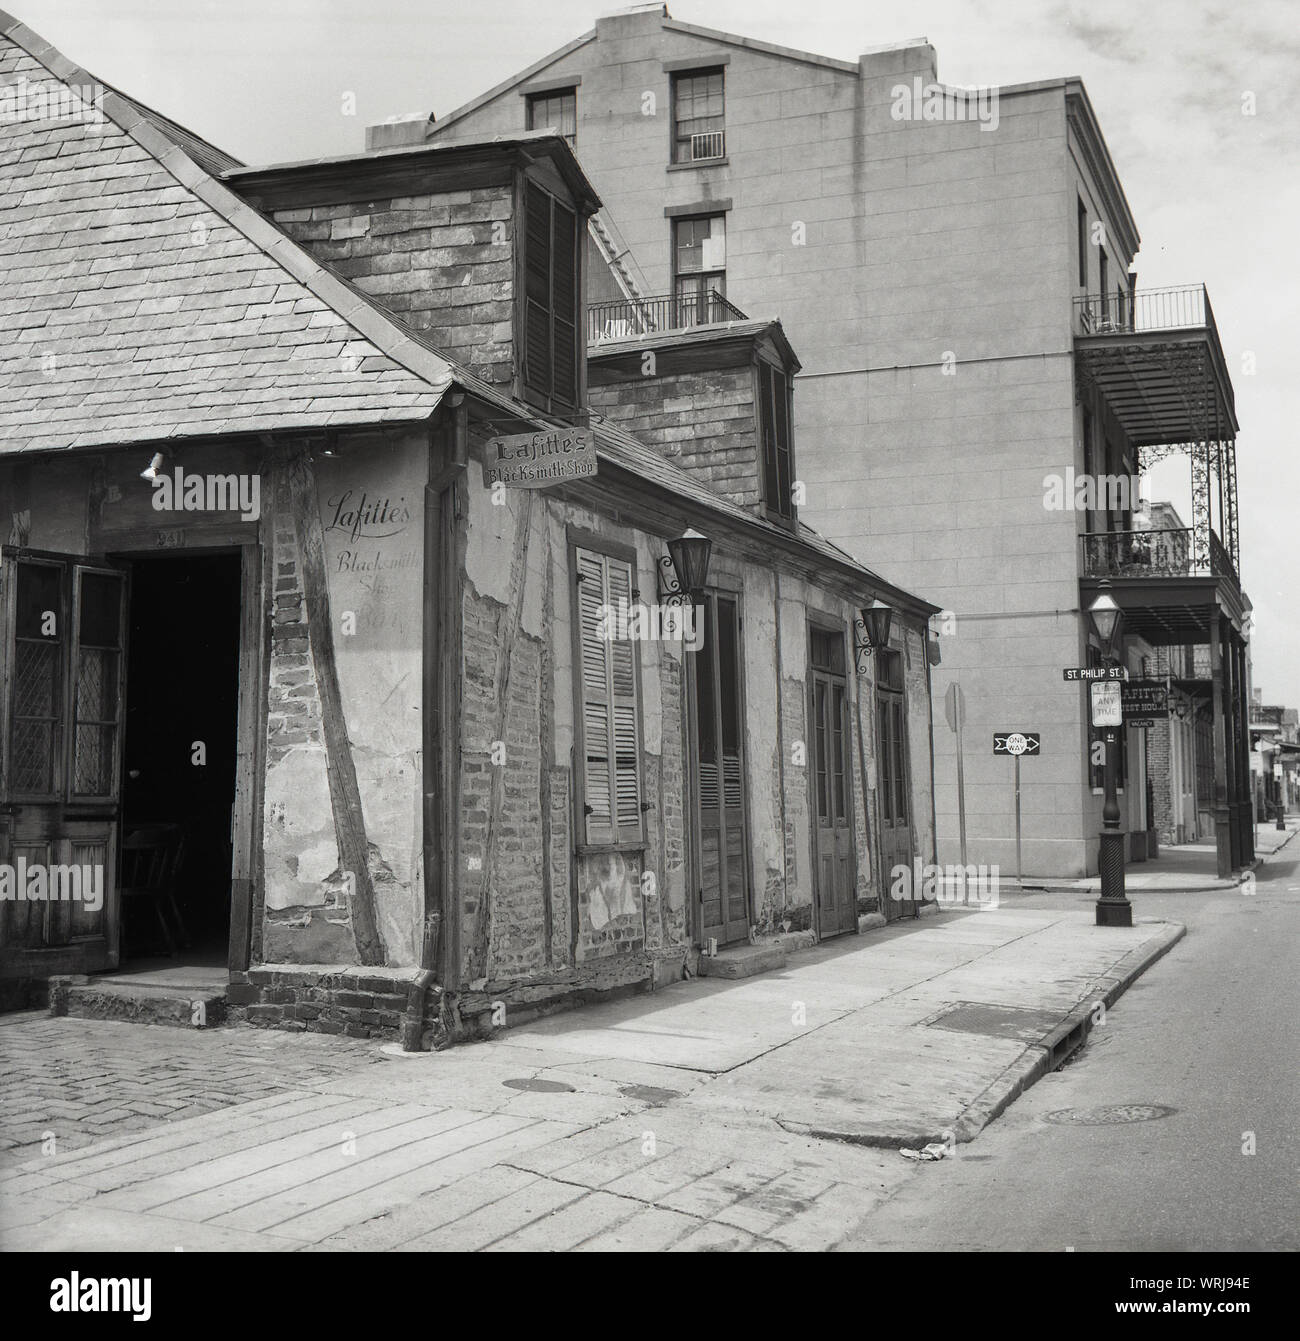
{"x":1209,"y":1033}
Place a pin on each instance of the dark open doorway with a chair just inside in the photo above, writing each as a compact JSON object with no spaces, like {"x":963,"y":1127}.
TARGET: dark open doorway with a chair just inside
{"x":179,"y":758}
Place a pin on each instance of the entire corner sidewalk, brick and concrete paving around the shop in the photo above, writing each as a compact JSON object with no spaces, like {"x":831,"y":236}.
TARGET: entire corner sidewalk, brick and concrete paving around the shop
{"x":713,"y":1115}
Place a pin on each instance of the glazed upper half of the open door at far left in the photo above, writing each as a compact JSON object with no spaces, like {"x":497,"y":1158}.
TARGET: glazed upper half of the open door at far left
{"x":65,"y":695}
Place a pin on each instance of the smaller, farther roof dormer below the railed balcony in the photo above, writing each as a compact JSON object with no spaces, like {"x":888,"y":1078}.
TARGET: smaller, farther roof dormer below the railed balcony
{"x":717,"y":399}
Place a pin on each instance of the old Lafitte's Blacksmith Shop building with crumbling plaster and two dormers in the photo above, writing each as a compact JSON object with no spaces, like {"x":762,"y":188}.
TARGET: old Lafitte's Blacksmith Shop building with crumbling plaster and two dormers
{"x":320,"y":670}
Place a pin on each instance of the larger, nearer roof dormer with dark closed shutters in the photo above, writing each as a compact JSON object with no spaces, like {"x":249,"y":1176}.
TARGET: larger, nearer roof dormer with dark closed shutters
{"x":478,"y":247}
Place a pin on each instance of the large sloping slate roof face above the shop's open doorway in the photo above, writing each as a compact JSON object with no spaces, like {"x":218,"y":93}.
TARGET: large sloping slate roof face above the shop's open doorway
{"x":143,"y":301}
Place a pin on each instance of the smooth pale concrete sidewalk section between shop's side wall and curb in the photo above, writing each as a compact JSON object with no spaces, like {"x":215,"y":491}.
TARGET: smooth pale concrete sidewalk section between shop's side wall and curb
{"x":842,"y":1044}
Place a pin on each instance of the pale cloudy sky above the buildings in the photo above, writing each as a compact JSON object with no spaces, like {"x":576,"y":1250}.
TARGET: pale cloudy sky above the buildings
{"x":1216,"y":192}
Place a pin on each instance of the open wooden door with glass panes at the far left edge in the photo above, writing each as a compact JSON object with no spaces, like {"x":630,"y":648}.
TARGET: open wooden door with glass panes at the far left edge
{"x":64,"y":632}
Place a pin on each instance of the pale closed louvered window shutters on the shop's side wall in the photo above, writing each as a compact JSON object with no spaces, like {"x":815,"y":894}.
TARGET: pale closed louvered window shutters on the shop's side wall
{"x":608,"y":701}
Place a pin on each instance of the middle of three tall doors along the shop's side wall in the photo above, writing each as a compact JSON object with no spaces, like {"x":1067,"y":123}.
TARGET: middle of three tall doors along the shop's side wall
{"x":835,"y":864}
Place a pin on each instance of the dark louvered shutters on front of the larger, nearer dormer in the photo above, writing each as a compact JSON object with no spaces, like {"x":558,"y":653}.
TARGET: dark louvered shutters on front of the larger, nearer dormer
{"x":551,"y":298}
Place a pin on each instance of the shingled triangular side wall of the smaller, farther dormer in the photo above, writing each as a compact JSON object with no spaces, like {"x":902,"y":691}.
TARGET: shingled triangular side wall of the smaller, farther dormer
{"x":705,"y":422}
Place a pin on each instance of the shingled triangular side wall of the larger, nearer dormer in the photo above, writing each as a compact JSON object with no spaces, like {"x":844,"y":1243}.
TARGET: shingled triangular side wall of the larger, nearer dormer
{"x":445,"y":264}
